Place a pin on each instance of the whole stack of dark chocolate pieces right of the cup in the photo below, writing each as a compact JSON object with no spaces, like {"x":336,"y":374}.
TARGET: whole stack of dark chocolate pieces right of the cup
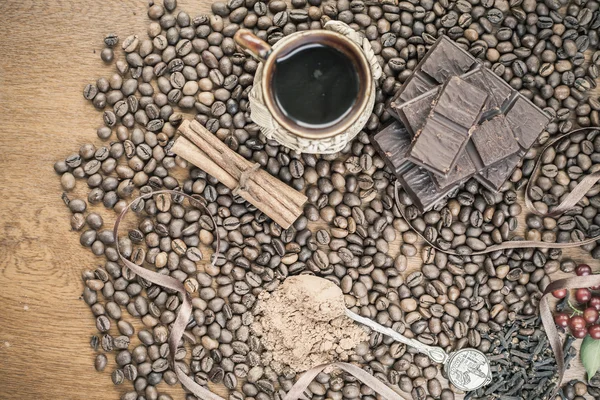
{"x":456,"y":120}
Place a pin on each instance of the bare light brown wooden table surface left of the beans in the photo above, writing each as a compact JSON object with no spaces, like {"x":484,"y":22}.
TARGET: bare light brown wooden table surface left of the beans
{"x":48,"y":51}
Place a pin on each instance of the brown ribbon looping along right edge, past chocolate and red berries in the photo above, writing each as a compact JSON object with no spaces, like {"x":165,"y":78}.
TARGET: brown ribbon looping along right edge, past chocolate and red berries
{"x":569,"y":283}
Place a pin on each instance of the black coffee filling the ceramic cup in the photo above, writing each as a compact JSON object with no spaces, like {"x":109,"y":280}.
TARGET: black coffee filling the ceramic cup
{"x":315,"y":85}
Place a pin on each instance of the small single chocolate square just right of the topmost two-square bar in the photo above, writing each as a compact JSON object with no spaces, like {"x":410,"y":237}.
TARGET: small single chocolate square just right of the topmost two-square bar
{"x":494,"y":140}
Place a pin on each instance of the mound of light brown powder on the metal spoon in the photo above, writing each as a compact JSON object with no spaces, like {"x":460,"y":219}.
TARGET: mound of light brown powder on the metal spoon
{"x":303,"y":324}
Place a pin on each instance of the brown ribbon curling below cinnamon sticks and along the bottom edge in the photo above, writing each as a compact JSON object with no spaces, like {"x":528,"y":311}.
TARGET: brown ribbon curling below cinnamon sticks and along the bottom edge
{"x":185,"y":312}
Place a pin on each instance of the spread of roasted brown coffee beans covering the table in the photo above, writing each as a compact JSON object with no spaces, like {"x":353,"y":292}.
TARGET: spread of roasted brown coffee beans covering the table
{"x":190,"y":64}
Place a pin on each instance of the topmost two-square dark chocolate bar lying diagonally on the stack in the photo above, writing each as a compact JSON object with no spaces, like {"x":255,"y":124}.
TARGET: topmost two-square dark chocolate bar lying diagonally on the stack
{"x":446,"y":132}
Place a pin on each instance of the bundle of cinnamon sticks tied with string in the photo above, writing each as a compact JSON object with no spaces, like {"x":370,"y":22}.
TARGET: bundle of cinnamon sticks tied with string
{"x":201,"y":148}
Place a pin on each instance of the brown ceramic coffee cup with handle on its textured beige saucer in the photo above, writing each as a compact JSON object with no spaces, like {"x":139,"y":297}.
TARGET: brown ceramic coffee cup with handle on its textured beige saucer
{"x":268,"y":106}
